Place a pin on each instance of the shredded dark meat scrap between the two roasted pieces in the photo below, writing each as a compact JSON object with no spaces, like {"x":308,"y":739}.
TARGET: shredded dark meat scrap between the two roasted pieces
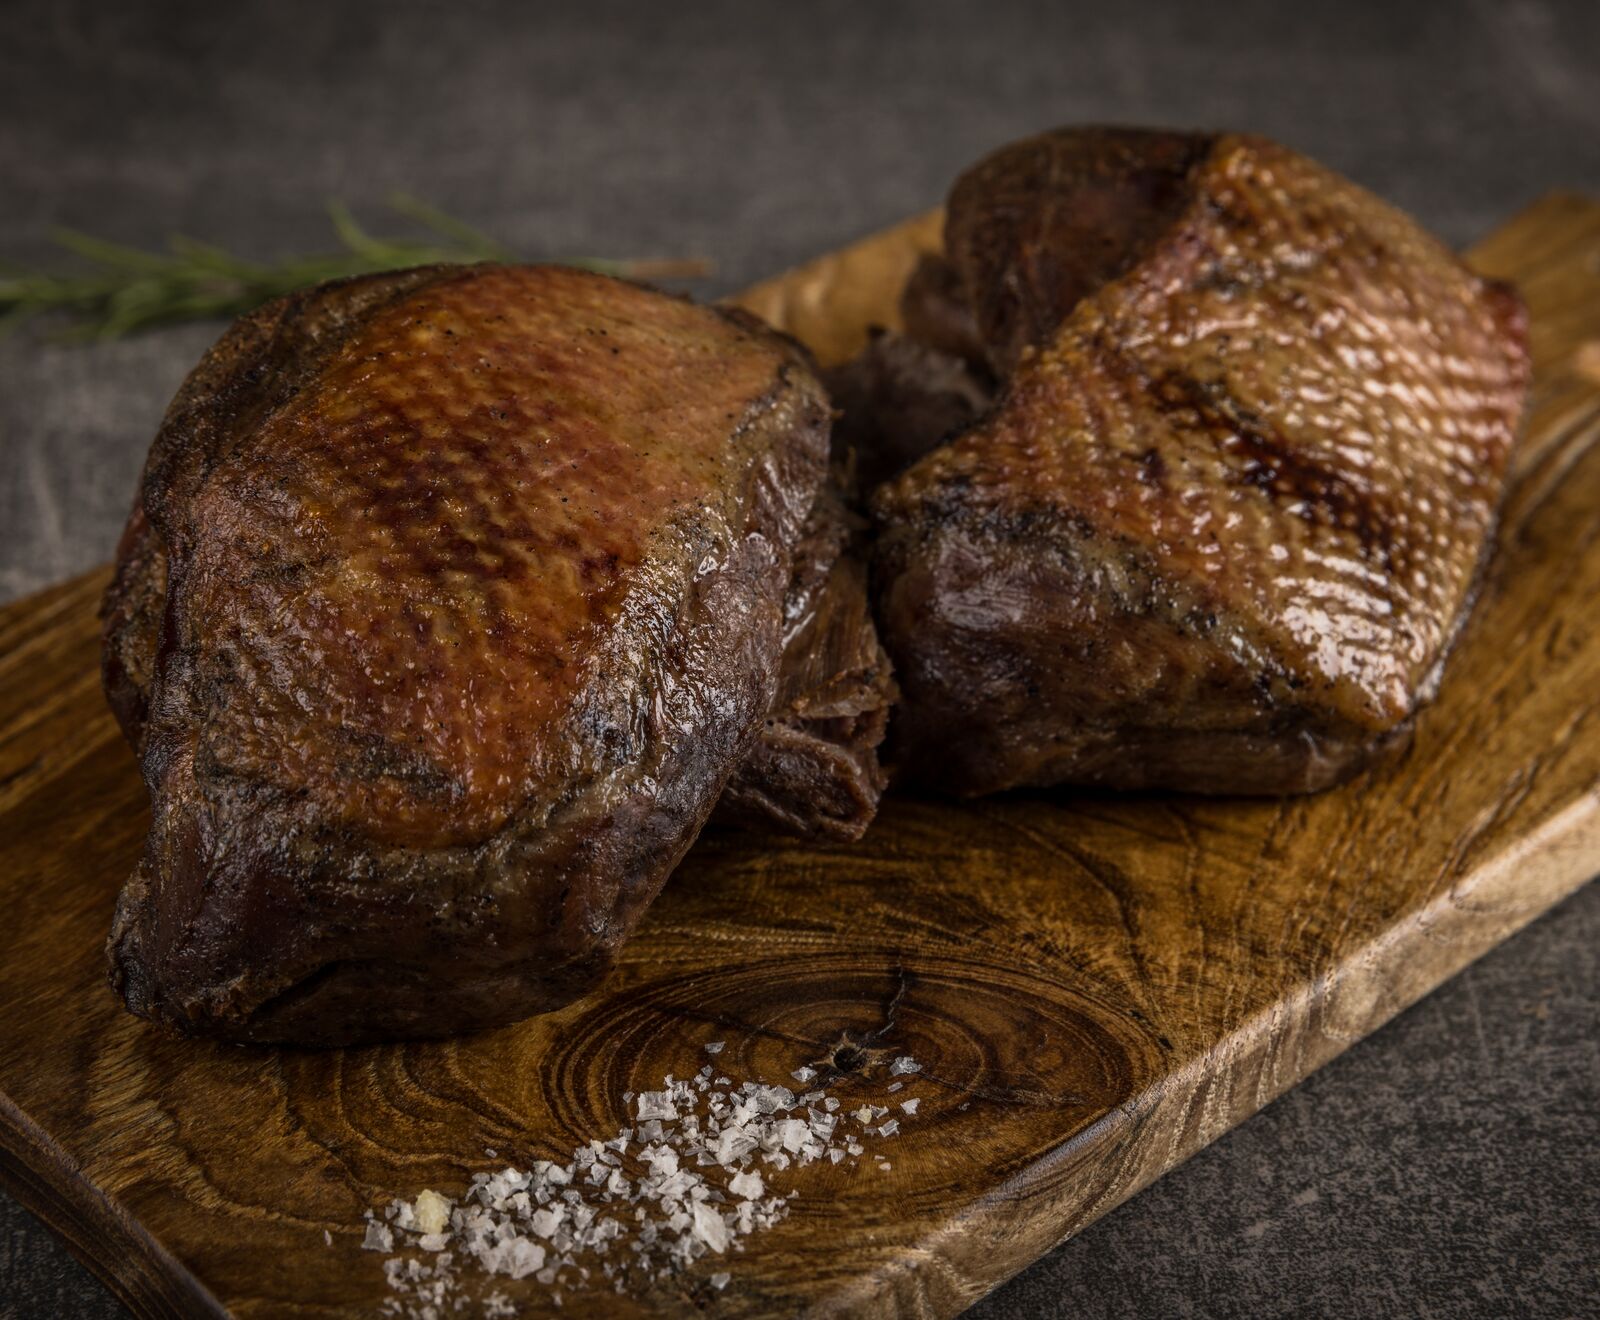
{"x":815,"y":770}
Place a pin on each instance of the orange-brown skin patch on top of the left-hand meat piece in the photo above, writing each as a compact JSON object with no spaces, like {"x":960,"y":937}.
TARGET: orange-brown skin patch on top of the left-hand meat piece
{"x":418,"y":553}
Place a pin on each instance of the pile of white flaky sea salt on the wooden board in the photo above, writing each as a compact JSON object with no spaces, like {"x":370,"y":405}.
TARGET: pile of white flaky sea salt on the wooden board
{"x":692,"y":1178}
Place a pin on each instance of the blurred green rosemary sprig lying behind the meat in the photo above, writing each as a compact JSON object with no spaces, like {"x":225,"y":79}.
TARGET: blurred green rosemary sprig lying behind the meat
{"x":126,"y":290}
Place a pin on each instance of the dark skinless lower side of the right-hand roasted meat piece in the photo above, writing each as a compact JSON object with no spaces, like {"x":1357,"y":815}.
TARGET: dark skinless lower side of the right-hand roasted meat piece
{"x":1044,"y":695}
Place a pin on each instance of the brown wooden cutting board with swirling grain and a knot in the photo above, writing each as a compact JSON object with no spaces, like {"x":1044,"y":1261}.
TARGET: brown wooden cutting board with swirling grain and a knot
{"x":1097,"y":985}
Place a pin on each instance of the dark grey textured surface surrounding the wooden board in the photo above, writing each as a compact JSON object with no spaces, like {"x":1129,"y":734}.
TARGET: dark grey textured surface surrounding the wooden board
{"x":1449,"y":1166}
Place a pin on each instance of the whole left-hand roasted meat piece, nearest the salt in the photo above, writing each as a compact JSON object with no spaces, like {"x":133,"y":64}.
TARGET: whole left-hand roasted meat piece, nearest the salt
{"x":452,"y":601}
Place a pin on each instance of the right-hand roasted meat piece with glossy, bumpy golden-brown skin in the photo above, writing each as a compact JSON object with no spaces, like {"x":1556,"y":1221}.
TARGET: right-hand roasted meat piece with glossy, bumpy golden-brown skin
{"x":1228,"y":514}
